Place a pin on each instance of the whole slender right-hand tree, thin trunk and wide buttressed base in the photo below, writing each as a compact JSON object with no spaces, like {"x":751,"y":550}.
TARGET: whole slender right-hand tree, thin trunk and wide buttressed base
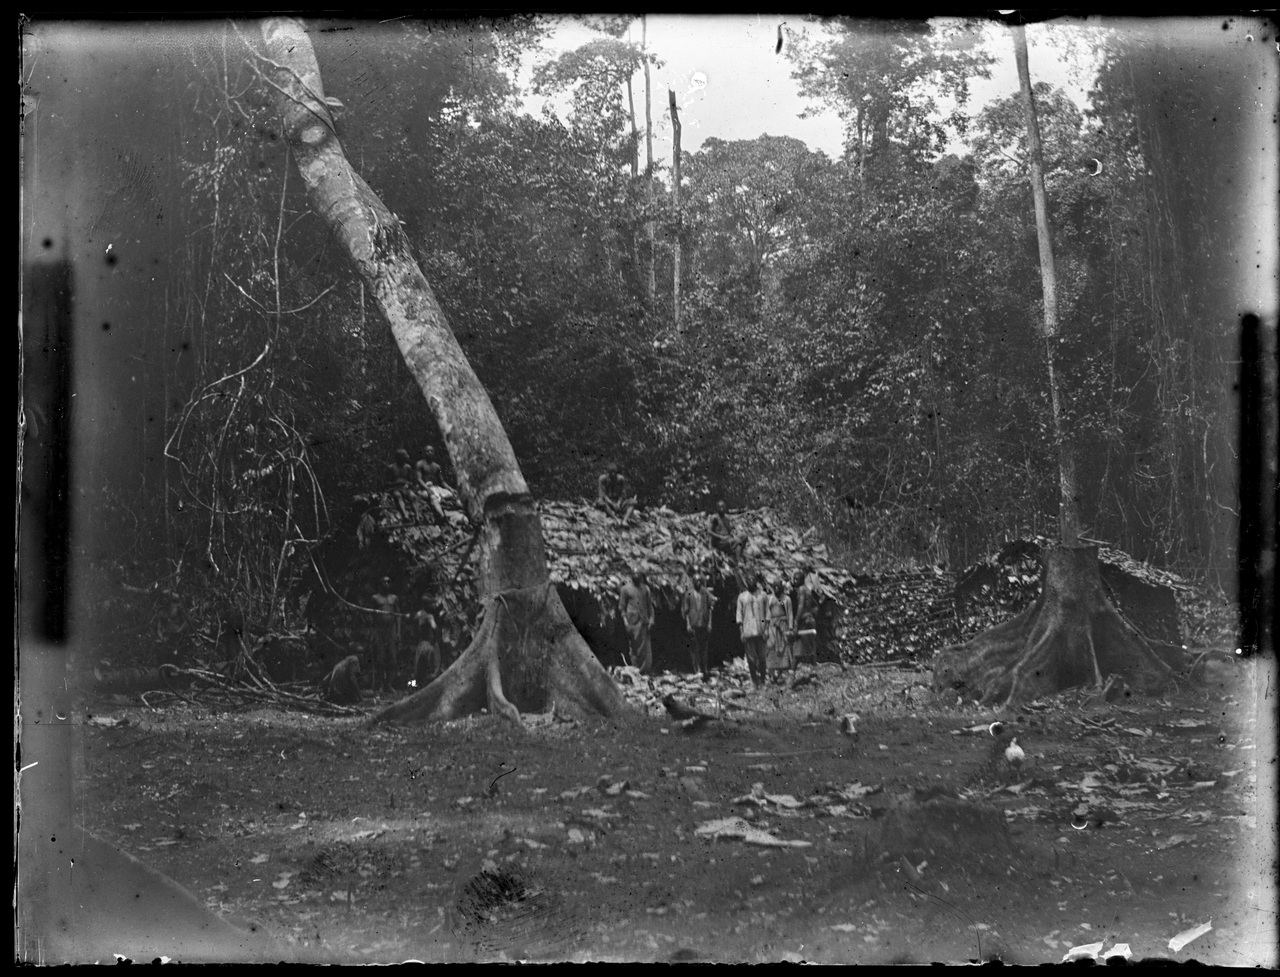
{"x":1073,"y":634}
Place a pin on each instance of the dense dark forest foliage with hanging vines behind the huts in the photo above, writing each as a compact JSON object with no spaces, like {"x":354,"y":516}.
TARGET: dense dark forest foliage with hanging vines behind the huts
{"x":858,"y":332}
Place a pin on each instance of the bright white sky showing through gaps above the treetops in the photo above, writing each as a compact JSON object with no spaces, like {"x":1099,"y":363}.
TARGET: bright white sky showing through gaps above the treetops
{"x":732,"y":85}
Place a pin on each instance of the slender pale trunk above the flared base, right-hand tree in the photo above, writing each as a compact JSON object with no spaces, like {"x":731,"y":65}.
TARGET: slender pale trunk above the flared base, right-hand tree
{"x":1069,"y":517}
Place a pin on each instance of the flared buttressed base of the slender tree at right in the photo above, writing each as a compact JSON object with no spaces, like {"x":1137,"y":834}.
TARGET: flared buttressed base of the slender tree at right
{"x":1072,"y":637}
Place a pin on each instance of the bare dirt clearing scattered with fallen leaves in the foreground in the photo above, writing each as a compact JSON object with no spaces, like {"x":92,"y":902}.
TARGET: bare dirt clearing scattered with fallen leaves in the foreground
{"x":904,"y":843}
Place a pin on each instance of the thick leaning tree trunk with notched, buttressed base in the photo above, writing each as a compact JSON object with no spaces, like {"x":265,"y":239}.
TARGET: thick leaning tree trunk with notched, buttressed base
{"x":527,"y":655}
